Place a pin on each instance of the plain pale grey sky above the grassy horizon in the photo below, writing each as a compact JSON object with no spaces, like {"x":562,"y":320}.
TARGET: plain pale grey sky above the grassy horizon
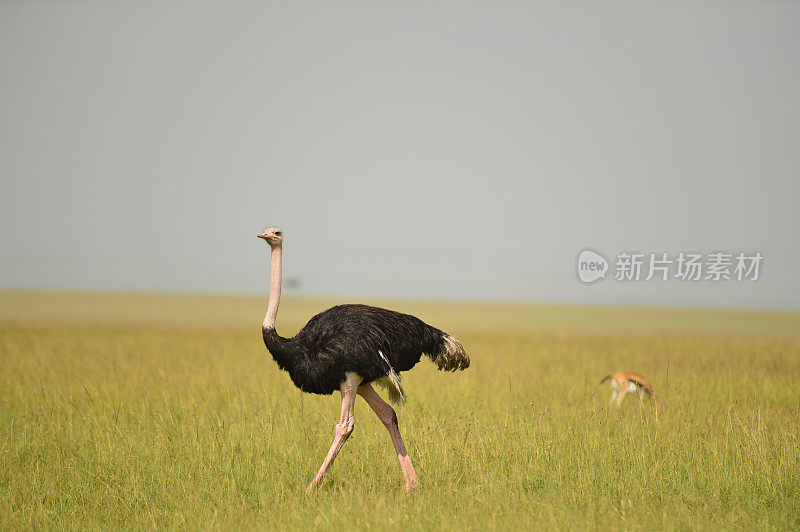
{"x":459,"y":150}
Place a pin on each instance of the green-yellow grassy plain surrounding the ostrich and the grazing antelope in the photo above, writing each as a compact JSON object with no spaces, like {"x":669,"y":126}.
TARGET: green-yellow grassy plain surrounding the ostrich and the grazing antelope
{"x":124,"y":410}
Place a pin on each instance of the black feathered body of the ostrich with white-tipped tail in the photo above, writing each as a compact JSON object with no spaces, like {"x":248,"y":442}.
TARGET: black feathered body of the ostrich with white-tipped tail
{"x":348,"y":338}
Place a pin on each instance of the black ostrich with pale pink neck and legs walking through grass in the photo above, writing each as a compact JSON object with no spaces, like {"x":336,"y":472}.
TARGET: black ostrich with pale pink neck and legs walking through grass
{"x":347,"y":348}
